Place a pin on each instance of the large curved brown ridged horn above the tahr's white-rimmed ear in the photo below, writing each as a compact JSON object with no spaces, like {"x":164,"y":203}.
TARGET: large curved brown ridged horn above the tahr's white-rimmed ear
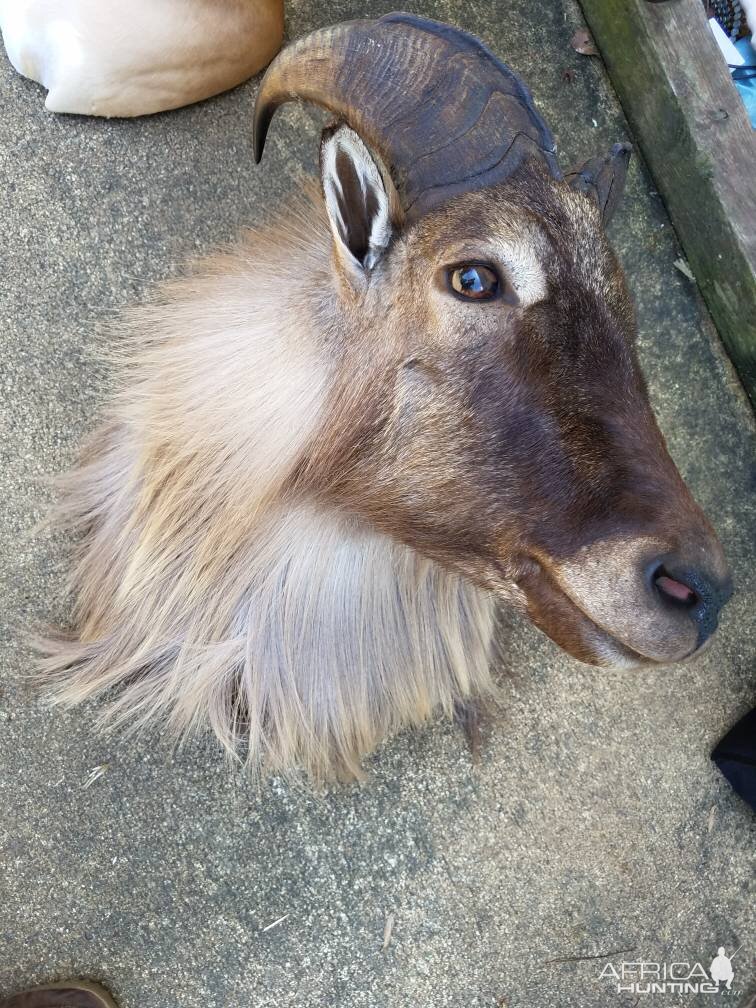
{"x":443,"y":112}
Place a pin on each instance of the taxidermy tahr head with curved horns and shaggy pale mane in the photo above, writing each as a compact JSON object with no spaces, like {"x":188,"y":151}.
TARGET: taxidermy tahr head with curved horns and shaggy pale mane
{"x":414,"y":395}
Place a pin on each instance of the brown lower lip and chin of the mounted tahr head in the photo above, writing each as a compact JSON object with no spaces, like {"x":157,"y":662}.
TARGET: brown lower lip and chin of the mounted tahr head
{"x":563,"y":619}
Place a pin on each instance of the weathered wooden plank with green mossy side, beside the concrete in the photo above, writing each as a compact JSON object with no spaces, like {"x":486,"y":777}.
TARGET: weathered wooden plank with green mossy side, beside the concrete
{"x":697,"y":139}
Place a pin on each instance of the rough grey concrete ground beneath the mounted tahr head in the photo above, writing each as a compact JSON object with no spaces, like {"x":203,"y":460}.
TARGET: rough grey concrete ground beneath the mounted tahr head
{"x":595,"y":825}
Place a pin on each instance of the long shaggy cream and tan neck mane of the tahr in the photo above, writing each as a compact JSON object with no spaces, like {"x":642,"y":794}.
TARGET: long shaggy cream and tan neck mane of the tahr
{"x":209,"y":592}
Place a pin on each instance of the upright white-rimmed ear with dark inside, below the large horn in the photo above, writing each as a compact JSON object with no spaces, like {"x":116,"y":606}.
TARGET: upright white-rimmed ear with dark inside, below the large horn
{"x":360,"y":203}
